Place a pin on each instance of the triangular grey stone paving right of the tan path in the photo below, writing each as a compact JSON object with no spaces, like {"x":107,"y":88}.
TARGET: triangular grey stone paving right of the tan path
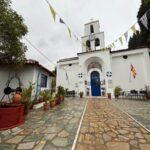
{"x":140,"y":110}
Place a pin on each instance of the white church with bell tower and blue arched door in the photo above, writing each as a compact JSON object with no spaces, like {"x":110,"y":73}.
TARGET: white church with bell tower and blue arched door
{"x":97,"y":72}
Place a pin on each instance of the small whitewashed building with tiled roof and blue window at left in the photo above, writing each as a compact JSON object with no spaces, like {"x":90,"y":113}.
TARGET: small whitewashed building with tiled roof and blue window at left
{"x":32,"y":72}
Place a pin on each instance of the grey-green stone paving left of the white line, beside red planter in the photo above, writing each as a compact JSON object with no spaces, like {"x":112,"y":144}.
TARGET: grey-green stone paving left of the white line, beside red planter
{"x":47,"y":130}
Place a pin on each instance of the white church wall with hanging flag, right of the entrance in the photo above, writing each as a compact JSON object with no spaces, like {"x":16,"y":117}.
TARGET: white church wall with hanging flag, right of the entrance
{"x":121,"y":69}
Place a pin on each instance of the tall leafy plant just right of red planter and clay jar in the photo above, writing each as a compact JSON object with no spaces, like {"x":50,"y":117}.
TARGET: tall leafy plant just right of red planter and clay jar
{"x":26,"y":98}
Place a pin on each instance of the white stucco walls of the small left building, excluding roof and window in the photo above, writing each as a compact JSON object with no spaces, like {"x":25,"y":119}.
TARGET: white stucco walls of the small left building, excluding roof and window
{"x":28,"y":74}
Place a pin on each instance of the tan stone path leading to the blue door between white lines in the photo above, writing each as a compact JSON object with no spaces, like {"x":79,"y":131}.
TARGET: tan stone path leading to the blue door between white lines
{"x":105,"y":127}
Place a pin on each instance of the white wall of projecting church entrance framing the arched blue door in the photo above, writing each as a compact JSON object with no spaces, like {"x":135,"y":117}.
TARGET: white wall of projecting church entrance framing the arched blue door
{"x":103,"y":57}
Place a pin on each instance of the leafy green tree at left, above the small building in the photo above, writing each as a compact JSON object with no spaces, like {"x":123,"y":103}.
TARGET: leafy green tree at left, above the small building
{"x":12,"y":29}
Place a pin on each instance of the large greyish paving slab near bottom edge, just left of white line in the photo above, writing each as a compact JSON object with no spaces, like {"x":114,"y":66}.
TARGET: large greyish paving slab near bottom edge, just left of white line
{"x":60,"y":142}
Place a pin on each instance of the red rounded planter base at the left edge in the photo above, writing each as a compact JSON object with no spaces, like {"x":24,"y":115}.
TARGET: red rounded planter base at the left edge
{"x":12,"y":115}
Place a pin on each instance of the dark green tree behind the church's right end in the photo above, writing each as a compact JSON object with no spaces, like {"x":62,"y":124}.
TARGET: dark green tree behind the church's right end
{"x":142,"y":37}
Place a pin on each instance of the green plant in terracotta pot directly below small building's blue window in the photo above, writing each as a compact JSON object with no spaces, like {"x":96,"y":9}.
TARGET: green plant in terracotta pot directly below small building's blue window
{"x":46,"y":95}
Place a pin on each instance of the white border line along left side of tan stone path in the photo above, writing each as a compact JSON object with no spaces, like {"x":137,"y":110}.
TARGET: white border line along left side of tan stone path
{"x":78,"y":131}
